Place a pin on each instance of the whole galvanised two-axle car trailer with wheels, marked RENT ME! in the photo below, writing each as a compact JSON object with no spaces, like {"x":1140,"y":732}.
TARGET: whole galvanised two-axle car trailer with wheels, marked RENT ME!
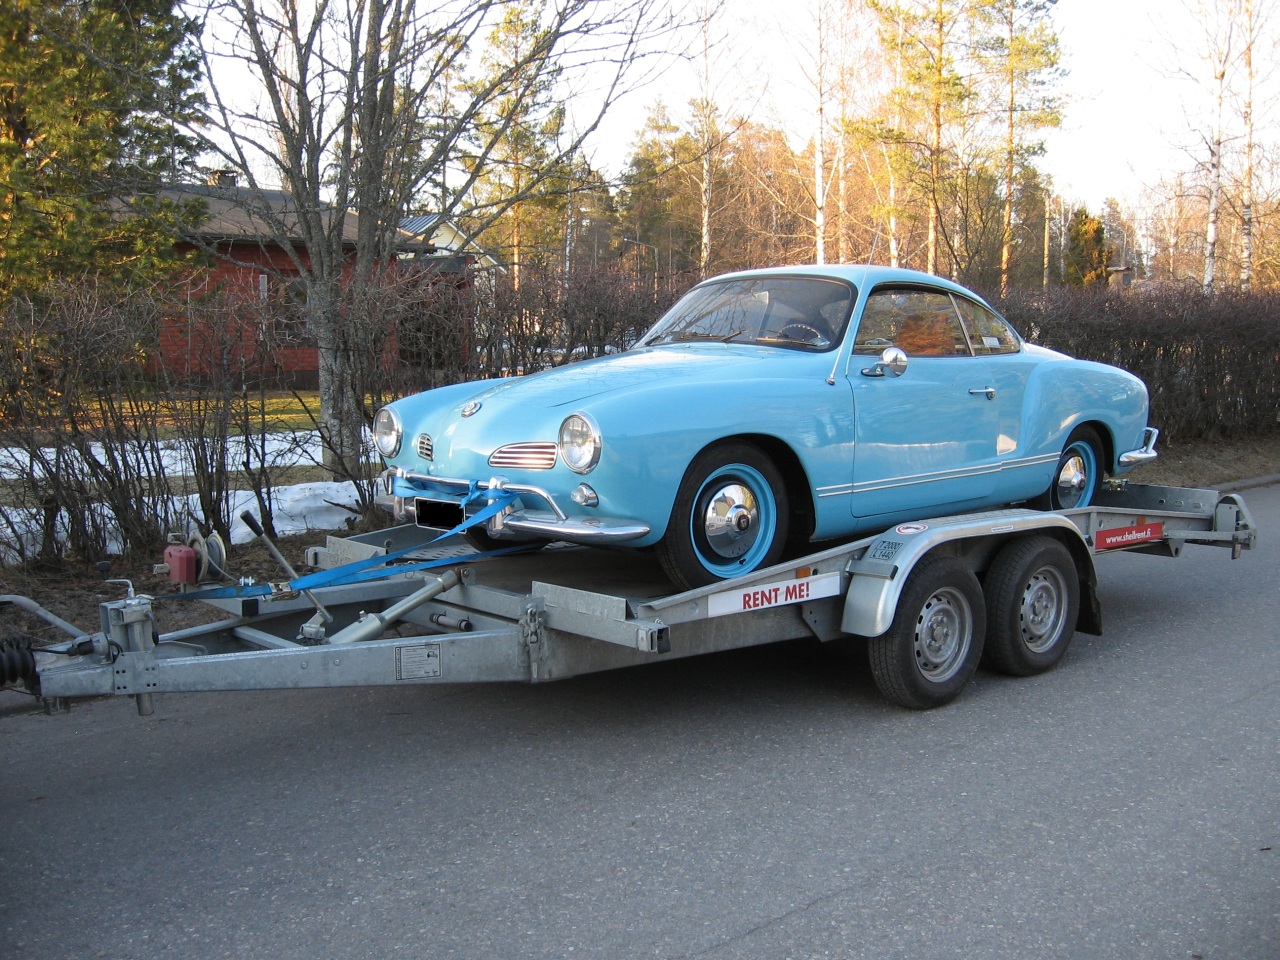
{"x":931,"y":598}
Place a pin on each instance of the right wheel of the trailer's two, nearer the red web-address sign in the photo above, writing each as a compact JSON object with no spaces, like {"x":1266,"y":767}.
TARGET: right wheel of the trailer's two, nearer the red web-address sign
{"x":1034,"y":598}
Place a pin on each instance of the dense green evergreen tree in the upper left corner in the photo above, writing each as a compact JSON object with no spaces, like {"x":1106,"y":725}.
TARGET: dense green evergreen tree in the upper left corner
{"x":90,"y":98}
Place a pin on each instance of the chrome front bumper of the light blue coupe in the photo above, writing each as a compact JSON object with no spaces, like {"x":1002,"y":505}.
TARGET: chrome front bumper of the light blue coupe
{"x":441,"y":502}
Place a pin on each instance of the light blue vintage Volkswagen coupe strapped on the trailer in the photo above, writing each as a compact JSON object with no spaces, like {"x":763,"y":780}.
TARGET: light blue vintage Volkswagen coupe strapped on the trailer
{"x":769,"y":409}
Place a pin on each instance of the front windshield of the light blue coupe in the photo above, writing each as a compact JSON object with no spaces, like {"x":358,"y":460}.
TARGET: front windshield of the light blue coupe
{"x":799,"y":313}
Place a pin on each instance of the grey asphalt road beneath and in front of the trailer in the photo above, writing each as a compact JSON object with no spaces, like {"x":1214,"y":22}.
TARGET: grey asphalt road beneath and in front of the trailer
{"x":762,"y":804}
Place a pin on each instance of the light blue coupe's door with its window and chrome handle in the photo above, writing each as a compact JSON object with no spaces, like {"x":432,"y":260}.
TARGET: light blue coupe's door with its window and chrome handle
{"x":926,"y":438}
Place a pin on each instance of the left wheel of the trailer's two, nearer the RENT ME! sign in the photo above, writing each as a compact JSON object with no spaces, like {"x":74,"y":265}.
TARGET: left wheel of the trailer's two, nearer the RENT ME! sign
{"x":931,"y":651}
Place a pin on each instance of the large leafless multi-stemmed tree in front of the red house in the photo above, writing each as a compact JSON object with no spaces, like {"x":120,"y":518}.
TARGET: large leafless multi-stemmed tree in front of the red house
{"x":373,"y":106}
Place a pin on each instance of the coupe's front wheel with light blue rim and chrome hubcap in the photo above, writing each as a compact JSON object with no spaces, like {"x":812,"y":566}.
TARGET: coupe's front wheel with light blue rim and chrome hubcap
{"x":730,"y":518}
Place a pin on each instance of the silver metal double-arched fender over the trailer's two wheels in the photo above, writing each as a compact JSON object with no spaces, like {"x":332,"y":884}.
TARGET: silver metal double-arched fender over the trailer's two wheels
{"x":880,"y":574}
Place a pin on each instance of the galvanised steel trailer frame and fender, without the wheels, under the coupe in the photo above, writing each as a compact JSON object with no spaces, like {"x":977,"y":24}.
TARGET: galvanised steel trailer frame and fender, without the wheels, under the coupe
{"x":565,"y":611}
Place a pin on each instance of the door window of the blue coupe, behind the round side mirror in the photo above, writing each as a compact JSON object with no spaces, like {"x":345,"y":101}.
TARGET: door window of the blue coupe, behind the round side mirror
{"x":922,"y":323}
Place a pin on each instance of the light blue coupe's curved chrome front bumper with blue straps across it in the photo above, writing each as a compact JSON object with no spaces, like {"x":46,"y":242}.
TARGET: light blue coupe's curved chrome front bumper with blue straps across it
{"x":515,"y":523}
